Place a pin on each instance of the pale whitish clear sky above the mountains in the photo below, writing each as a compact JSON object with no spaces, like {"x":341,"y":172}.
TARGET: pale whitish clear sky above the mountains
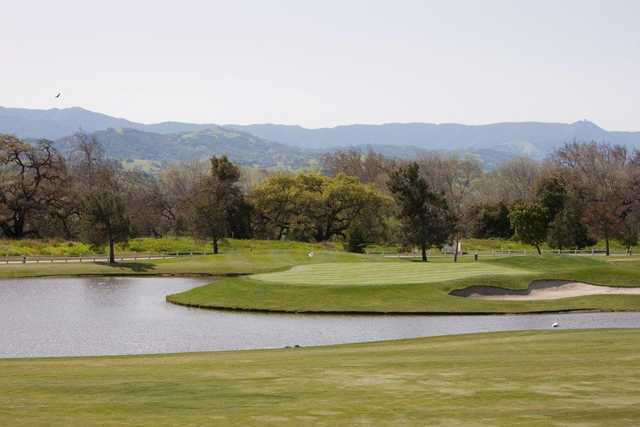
{"x":327,"y":63}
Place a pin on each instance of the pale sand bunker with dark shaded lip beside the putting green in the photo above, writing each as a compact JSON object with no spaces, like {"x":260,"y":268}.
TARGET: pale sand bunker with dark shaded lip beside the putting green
{"x":543,"y":290}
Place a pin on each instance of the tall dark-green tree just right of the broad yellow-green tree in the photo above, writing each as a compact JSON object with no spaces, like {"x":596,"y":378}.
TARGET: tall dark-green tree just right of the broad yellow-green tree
{"x":425,"y":216}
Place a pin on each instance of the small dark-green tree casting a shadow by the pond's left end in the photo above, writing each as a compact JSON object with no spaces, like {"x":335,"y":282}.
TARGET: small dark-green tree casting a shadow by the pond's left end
{"x":103,"y":216}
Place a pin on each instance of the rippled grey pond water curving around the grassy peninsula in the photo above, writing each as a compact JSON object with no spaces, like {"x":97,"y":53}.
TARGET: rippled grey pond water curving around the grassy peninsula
{"x":106,"y":316}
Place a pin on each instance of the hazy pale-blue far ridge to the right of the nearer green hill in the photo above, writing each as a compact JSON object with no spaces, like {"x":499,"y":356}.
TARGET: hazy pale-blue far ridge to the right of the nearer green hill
{"x":529,"y":138}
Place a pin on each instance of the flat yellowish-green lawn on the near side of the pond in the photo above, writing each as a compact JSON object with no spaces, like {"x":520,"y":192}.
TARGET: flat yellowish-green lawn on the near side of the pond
{"x":579,"y":377}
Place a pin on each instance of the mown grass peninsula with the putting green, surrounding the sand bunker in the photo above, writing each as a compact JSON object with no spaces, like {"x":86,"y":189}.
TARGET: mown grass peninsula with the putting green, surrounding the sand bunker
{"x":413,"y":287}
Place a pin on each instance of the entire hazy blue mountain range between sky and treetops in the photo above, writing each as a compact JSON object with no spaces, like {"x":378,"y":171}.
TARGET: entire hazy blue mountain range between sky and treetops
{"x":284,"y":146}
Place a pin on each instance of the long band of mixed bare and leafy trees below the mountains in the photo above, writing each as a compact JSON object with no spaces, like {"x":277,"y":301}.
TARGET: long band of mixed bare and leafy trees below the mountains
{"x":580,"y":193}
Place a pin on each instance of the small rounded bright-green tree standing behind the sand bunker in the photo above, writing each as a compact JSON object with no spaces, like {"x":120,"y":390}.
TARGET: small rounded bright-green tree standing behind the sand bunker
{"x":530,"y":223}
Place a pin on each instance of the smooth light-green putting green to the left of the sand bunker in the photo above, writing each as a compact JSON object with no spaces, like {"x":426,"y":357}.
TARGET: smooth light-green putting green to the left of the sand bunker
{"x":385,"y":273}
